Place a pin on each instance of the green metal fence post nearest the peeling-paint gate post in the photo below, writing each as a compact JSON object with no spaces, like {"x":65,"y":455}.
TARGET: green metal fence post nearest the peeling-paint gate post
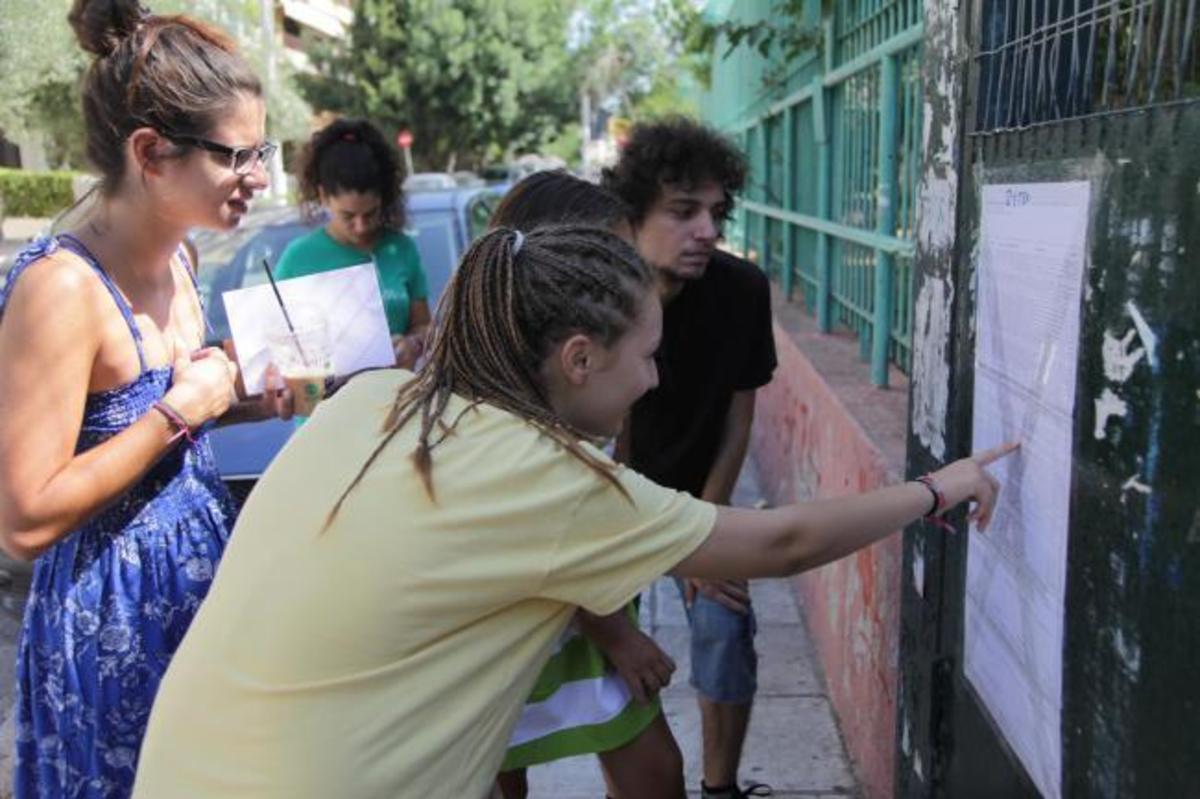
{"x":885,"y":263}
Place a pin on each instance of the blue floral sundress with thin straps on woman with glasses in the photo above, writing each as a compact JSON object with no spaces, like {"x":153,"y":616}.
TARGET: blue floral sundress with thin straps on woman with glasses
{"x":111,"y":602}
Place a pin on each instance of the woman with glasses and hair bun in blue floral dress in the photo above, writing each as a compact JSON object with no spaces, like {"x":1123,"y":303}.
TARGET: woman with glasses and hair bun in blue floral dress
{"x":107,"y":479}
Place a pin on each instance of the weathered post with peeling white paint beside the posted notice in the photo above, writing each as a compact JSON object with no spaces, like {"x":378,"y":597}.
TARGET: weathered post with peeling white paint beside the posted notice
{"x":932,"y":408}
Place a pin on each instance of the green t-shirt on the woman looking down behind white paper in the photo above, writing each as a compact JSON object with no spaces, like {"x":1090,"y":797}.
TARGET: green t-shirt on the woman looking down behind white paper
{"x":398,"y":266}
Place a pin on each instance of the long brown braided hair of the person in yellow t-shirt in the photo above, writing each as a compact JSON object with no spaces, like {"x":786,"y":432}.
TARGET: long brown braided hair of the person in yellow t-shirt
{"x":514,"y":298}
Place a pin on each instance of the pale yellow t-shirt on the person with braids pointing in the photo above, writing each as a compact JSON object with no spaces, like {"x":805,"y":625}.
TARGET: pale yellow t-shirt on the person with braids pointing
{"x":391,"y":654}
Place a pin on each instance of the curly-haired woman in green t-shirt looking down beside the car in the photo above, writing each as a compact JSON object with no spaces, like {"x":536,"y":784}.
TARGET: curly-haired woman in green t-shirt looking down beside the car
{"x":353,"y":172}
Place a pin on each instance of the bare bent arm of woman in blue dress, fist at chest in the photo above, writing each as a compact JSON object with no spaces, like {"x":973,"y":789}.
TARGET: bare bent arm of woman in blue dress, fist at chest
{"x":50,"y":340}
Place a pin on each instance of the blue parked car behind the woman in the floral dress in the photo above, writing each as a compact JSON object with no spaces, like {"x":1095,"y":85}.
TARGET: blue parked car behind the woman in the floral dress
{"x":442,"y":223}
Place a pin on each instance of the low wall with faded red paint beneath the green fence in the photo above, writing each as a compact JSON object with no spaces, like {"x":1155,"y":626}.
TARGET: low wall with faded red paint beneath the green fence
{"x":807,"y":443}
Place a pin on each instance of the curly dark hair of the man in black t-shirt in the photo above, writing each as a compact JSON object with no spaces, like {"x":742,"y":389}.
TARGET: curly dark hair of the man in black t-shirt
{"x":674,"y":152}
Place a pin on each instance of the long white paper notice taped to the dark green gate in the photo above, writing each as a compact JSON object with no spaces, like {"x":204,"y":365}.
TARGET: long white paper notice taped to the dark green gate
{"x":1030,"y":281}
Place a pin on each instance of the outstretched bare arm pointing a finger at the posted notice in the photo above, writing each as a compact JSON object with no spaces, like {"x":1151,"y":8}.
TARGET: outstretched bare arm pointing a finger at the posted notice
{"x":797,"y":538}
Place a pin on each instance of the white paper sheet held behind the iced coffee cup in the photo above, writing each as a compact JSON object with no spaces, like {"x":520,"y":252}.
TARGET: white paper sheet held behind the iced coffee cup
{"x":350,"y":302}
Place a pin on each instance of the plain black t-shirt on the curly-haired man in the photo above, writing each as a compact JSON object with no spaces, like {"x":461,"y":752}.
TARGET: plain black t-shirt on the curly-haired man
{"x":717,"y":340}
